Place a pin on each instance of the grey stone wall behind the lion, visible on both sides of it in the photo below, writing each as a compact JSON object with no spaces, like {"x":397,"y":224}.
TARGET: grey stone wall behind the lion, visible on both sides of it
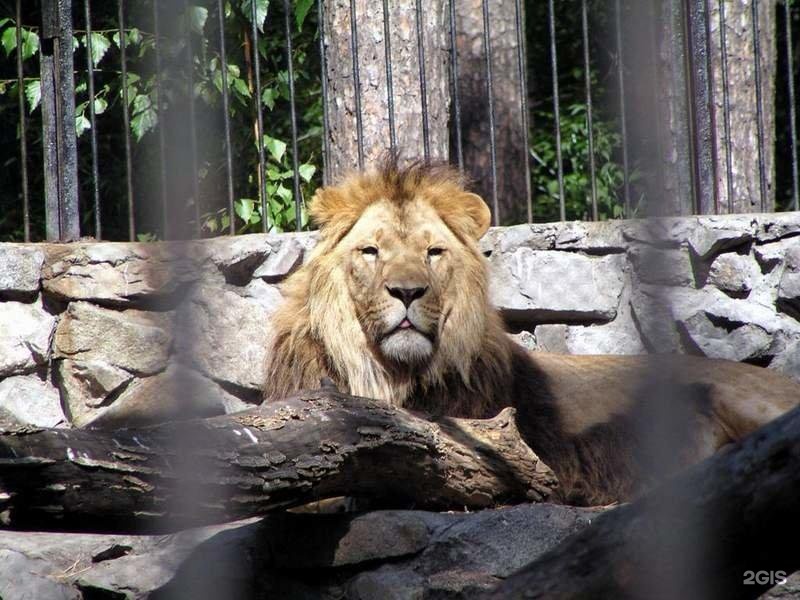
{"x":103,"y":333}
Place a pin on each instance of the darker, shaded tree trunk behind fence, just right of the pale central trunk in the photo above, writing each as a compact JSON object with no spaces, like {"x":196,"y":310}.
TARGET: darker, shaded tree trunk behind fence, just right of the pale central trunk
{"x":509,"y":141}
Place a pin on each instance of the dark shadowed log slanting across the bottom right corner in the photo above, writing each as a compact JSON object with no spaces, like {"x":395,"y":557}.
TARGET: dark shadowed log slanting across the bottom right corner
{"x":696,"y":536}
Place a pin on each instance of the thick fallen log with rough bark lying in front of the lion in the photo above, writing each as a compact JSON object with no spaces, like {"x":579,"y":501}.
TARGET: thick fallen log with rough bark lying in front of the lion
{"x":319,"y":444}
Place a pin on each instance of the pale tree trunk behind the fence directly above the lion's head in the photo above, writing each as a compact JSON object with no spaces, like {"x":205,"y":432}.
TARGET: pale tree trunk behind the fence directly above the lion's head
{"x":407,"y":93}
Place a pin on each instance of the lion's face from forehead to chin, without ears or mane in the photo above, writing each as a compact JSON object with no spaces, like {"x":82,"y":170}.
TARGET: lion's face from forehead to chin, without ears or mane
{"x":399,"y":265}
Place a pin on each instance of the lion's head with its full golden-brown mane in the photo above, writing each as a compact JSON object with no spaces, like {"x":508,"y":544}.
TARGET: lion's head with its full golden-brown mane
{"x":395,"y":294}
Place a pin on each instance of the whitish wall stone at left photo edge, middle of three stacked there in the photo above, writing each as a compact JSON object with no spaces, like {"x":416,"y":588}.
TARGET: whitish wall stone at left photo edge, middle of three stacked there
{"x":26,"y":331}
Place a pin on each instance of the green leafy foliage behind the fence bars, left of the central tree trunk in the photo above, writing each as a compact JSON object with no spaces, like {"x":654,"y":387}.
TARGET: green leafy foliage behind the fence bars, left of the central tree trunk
{"x":192,"y":32}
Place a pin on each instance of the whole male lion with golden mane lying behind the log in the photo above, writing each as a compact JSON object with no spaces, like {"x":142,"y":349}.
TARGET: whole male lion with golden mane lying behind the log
{"x":393,"y":304}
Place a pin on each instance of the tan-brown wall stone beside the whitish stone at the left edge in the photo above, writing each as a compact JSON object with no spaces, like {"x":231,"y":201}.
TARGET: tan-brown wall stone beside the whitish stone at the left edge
{"x":131,"y":339}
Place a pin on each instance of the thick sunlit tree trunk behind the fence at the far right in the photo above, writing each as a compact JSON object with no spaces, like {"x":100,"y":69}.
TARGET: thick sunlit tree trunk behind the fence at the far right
{"x":680,"y":63}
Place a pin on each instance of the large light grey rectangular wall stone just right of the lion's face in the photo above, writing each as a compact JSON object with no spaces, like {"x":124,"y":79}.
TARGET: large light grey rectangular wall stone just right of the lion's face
{"x":534,"y":286}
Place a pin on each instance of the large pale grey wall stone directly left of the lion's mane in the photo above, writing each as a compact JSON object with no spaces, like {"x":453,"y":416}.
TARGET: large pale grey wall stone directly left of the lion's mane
{"x":231,"y":336}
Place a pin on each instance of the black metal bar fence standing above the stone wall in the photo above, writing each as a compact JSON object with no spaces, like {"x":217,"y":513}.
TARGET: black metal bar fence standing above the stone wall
{"x":75,"y":176}
